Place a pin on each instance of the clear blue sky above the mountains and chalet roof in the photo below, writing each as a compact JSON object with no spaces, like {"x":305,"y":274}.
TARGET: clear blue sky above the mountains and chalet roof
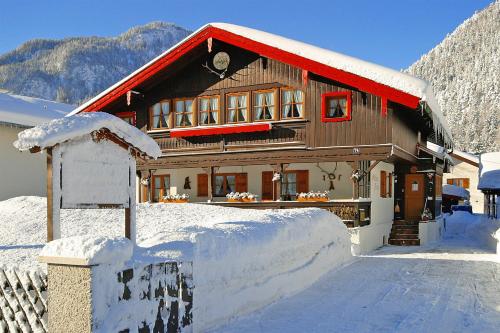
{"x":394,"y":33}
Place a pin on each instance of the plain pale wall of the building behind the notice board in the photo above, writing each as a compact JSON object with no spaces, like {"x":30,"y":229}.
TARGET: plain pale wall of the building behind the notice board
{"x":21,"y":173}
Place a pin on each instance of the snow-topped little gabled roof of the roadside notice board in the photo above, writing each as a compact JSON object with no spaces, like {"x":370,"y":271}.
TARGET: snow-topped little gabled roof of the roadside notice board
{"x":63,"y":129}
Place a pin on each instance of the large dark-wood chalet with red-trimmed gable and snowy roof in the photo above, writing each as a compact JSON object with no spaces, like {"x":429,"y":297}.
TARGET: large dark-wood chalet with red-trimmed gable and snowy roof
{"x":236,"y":109}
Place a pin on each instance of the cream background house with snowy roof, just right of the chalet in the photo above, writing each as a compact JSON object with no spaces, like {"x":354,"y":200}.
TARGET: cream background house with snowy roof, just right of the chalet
{"x":464,"y":173}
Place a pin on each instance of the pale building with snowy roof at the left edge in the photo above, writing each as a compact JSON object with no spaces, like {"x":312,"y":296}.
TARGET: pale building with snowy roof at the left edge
{"x":23,"y":174}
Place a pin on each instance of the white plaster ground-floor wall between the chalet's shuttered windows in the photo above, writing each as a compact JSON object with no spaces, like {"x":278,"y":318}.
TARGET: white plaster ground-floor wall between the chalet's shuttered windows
{"x":343,"y":187}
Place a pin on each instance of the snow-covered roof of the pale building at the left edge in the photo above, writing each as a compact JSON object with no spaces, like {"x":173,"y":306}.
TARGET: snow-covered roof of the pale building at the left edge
{"x":29,"y":111}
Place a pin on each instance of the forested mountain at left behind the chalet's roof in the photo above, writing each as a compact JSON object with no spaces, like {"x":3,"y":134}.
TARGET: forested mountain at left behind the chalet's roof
{"x":72,"y":70}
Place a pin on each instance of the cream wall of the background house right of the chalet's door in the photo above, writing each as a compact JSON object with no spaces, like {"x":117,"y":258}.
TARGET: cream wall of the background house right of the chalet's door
{"x":465,"y":170}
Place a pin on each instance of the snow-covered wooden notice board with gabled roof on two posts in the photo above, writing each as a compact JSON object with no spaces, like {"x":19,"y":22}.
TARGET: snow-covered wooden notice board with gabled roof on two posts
{"x":91,"y":163}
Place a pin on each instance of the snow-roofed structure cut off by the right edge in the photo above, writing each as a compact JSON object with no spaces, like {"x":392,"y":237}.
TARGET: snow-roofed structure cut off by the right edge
{"x":489,"y":182}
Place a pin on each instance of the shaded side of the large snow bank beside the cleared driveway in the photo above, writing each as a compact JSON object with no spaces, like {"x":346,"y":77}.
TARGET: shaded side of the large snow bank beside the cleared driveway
{"x":238,"y":272}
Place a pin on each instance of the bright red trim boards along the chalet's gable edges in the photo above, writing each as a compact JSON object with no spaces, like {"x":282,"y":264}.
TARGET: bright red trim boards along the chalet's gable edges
{"x":338,"y":75}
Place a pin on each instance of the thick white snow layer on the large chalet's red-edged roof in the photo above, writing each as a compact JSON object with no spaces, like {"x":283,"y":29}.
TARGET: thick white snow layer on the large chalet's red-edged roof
{"x":380,"y":74}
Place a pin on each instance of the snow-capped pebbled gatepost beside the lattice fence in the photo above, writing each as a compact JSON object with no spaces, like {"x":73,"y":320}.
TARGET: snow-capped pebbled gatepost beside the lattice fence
{"x":82,"y":271}
